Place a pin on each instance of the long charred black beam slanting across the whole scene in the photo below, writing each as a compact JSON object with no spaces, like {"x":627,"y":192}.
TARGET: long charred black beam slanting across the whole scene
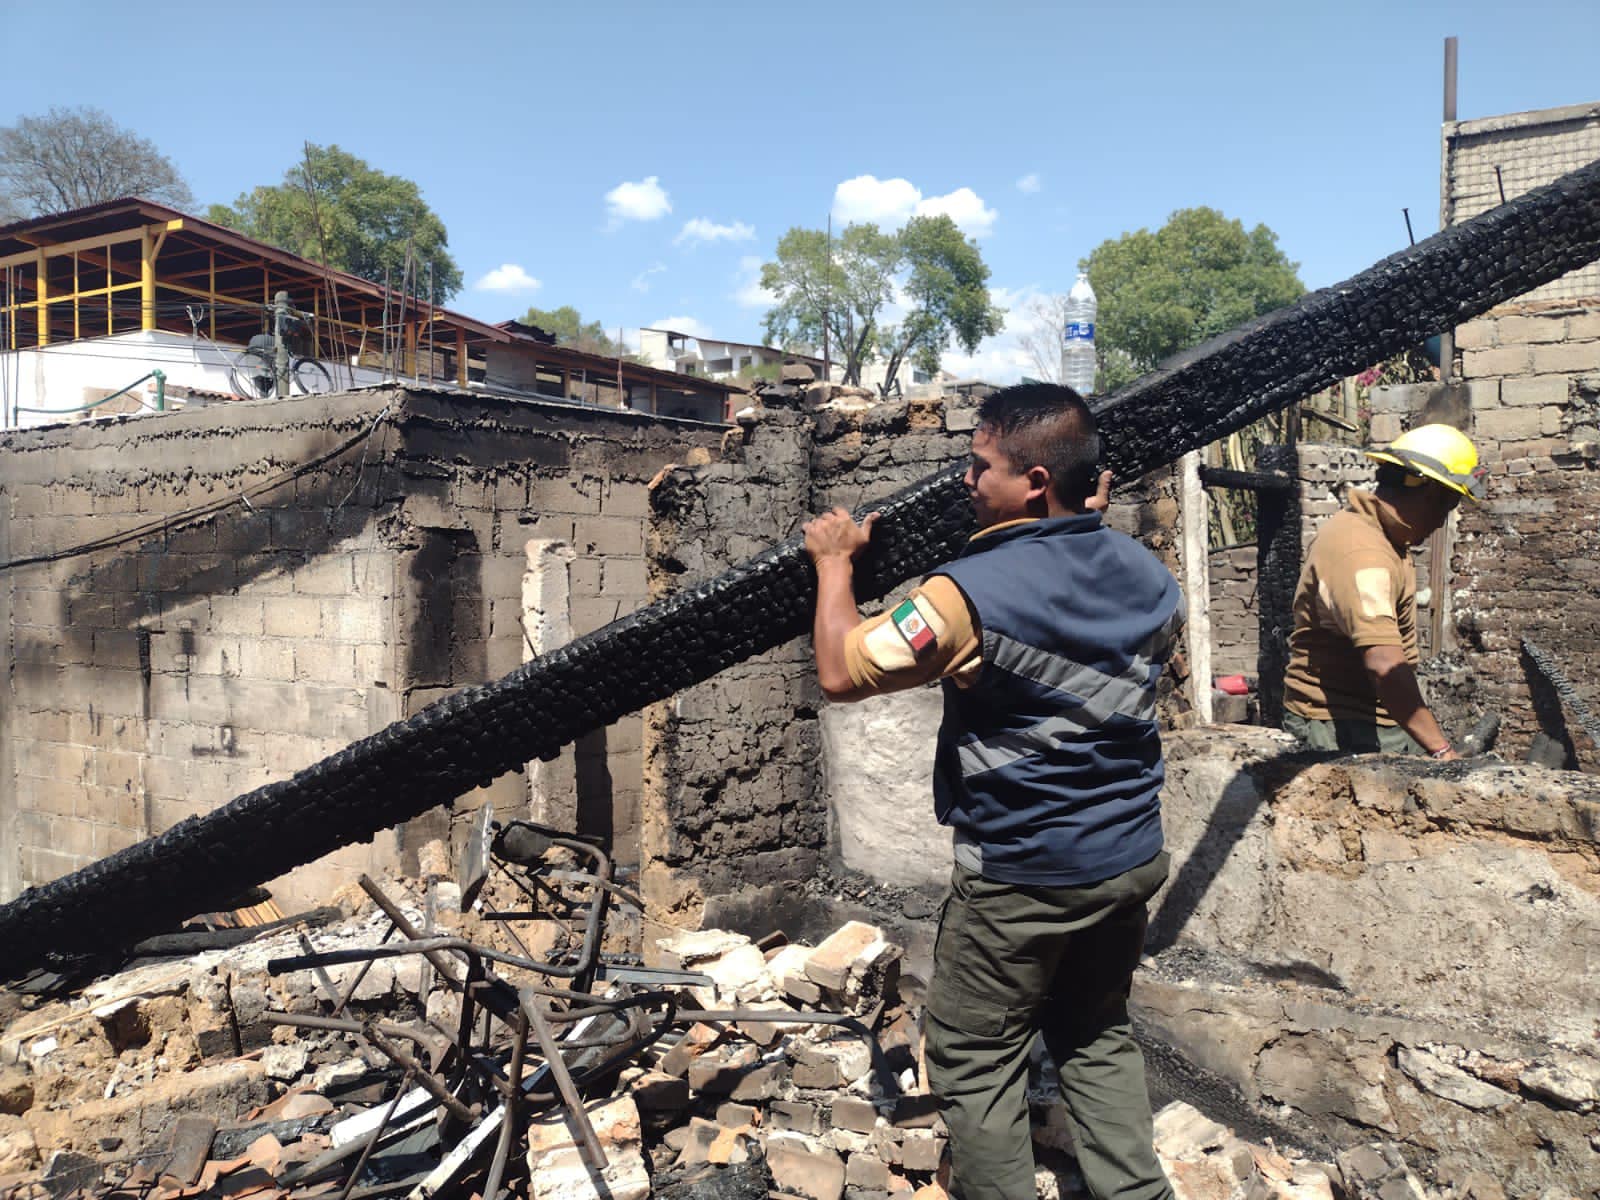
{"x":479,"y":734}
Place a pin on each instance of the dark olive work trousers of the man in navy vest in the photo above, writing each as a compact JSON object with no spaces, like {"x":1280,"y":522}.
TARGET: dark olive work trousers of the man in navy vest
{"x":1014,"y":961}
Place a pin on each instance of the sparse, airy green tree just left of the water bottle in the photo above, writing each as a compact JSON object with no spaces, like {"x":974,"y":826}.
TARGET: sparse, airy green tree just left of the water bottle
{"x":849,"y":287}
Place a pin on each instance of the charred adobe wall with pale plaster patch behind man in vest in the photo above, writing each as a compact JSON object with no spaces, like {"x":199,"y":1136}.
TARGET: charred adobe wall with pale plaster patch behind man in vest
{"x":753,"y":780}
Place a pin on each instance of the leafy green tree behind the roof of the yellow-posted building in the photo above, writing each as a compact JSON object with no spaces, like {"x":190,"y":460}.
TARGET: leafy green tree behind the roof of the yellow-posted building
{"x":362,"y":217}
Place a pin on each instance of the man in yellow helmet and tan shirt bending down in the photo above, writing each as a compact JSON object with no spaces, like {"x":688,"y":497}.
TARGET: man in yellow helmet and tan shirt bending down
{"x":1351,"y":682}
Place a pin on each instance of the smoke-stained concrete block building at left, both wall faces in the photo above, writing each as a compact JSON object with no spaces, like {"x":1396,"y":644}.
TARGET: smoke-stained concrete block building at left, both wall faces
{"x":204,"y":602}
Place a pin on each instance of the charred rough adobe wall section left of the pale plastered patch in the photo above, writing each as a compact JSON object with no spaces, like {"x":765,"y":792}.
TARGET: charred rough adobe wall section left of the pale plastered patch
{"x":730,"y":796}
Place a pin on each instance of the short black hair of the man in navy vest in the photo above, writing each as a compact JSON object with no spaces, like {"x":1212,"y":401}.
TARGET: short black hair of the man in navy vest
{"x":1047,"y":426}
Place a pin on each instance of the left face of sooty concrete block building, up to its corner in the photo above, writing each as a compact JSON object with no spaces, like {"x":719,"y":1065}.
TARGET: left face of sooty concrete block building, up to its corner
{"x":201,"y":654}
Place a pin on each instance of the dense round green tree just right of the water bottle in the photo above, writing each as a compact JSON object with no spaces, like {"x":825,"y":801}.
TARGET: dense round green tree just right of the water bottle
{"x":1198,"y":276}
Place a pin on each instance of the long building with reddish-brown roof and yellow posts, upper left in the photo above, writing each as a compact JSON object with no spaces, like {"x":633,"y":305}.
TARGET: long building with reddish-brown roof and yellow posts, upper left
{"x":145,"y":305}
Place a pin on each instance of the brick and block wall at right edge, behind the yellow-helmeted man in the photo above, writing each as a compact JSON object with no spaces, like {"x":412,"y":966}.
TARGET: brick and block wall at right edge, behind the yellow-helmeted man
{"x":1524,"y":561}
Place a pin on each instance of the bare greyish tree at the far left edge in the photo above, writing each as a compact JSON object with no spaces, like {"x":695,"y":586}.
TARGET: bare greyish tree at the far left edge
{"x":76,"y":158}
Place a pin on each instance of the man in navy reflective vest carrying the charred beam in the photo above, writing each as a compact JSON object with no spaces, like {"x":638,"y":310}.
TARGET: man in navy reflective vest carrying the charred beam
{"x":1049,"y":634}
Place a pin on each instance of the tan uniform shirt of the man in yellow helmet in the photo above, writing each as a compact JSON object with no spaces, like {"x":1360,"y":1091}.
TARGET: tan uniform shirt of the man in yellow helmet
{"x":1358,"y":590}
